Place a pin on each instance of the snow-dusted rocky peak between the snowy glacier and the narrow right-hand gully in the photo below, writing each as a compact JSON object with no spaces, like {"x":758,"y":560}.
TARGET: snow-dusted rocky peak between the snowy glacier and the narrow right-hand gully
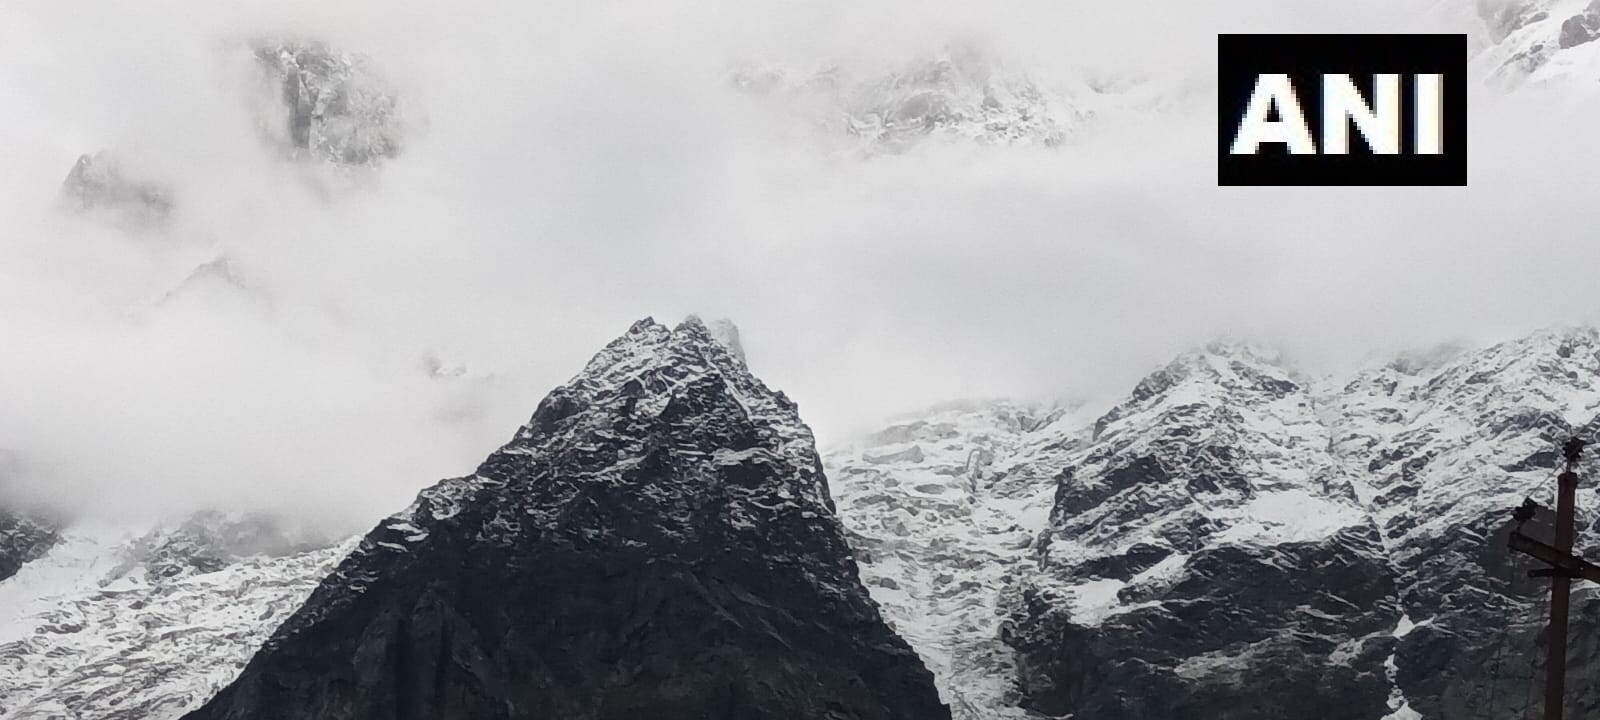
{"x":1209,"y":558}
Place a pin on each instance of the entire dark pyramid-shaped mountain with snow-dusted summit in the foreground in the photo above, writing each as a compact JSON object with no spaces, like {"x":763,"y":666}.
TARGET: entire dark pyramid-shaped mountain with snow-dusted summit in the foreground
{"x":658,"y":542}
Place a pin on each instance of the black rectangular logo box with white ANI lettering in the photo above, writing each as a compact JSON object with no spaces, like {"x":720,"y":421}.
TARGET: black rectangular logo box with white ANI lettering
{"x":1306,"y":58}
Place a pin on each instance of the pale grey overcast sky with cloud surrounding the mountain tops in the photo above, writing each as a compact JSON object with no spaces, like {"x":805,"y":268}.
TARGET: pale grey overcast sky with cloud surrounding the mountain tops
{"x":574,"y":167}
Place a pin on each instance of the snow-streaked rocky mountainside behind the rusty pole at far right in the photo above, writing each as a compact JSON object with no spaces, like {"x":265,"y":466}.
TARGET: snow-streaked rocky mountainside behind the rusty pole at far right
{"x":1449,"y":449}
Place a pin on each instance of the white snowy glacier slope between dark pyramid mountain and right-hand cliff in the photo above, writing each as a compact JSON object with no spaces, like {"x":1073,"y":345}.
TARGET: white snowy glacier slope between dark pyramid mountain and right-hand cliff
{"x":938,"y":535}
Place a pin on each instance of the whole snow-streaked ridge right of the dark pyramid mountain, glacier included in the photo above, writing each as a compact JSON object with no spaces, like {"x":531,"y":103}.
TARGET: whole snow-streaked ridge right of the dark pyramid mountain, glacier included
{"x":1239,"y":540}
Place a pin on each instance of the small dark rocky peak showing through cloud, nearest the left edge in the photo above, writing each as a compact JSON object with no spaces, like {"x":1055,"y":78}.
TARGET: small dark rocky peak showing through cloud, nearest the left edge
{"x":102,"y":186}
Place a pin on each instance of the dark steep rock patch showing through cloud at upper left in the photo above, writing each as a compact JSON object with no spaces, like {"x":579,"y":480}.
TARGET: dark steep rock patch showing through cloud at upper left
{"x":337,"y":108}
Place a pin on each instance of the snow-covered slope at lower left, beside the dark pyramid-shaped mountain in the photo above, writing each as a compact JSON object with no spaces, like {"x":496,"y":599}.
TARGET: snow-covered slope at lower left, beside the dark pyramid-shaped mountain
{"x":119,"y":623}
